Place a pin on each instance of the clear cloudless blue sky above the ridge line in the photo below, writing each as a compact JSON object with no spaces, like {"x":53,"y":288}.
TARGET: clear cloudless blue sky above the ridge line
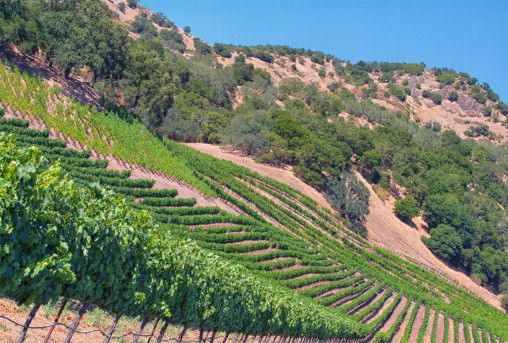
{"x":470,"y":36}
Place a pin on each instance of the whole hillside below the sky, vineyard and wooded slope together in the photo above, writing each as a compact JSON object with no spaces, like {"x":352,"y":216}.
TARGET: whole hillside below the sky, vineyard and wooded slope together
{"x":296,"y":237}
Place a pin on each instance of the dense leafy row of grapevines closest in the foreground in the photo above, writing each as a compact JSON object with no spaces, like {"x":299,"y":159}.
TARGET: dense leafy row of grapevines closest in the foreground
{"x":136,"y":256}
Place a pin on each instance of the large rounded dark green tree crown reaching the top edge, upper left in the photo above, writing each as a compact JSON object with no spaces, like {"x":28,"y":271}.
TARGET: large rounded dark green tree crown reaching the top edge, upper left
{"x":104,"y":50}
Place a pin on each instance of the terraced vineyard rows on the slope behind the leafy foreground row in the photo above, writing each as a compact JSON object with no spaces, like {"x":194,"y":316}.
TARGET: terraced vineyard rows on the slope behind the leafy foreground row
{"x":279,"y":234}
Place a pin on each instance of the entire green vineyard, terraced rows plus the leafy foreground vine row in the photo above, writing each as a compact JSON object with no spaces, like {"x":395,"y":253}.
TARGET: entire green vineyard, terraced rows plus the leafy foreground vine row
{"x":279,"y":266}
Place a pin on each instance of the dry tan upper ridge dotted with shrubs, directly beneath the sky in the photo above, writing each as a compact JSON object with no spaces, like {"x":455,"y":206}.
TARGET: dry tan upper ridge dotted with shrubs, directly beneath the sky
{"x":457,"y":115}
